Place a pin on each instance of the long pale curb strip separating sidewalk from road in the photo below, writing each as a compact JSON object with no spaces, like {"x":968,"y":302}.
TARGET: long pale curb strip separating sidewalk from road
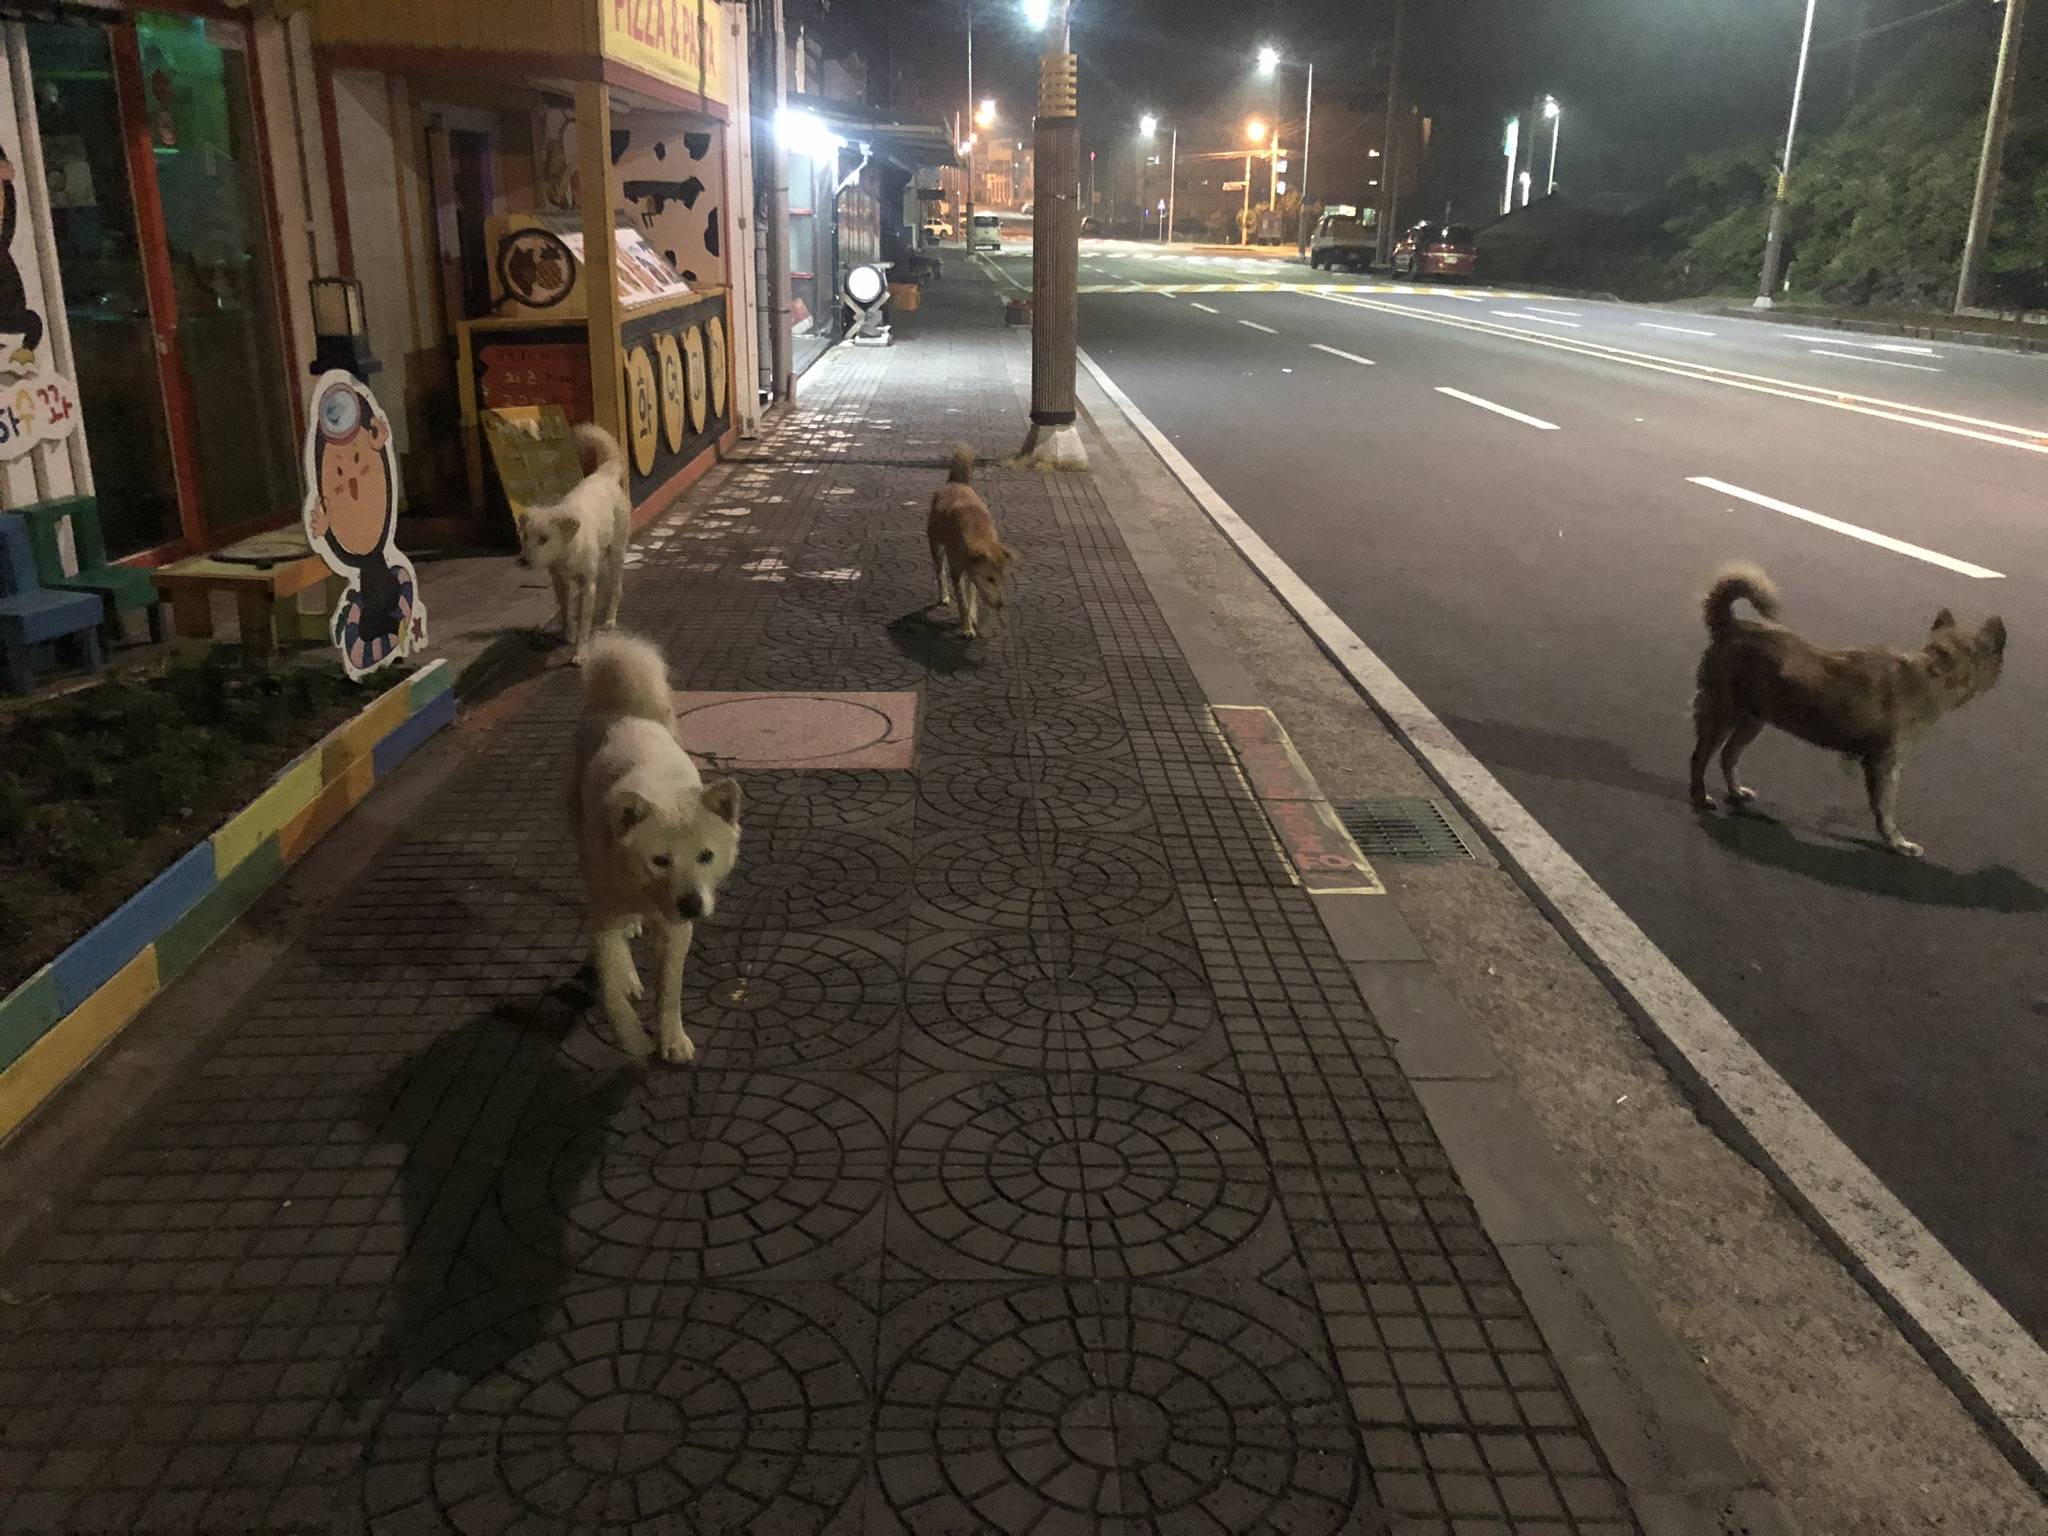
{"x":2000,"y":1365}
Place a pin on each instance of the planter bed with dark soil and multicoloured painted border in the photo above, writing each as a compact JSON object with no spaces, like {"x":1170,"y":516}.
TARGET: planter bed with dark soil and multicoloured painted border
{"x":140,"y":818}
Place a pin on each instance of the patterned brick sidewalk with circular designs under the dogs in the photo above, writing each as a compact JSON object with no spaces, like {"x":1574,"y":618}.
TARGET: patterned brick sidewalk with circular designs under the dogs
{"x":1041,"y":1168}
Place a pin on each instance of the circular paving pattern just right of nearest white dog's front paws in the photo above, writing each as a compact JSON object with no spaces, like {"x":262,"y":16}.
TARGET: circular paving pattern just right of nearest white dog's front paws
{"x":787,"y":1000}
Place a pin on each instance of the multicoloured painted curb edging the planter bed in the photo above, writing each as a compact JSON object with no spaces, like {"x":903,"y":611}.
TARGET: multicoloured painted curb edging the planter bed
{"x":56,"y":1021}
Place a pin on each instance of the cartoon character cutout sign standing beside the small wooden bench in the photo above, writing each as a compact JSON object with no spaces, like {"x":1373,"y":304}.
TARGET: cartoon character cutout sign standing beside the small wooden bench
{"x":351,"y":519}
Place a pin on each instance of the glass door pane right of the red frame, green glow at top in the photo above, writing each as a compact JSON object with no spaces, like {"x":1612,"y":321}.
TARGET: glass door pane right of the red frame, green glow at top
{"x":210,"y":173}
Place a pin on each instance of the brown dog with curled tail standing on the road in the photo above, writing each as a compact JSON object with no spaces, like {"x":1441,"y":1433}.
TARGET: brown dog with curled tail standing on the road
{"x":1869,"y":703}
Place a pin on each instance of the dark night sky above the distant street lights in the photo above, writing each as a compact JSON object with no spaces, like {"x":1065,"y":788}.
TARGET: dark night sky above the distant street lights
{"x":1644,"y":81}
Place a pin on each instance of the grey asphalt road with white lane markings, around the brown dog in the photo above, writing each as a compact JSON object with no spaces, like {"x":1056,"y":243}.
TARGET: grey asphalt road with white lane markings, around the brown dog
{"x":1529,"y":556}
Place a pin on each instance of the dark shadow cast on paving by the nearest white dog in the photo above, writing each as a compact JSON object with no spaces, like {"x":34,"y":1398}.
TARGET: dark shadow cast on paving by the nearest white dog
{"x":464,"y":1283}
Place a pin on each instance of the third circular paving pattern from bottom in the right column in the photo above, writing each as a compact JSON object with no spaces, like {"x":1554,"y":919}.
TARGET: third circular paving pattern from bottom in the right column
{"x":1060,"y":1000}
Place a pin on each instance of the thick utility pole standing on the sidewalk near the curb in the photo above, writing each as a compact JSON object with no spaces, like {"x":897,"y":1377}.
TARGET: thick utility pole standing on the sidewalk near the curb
{"x":1054,"y":439}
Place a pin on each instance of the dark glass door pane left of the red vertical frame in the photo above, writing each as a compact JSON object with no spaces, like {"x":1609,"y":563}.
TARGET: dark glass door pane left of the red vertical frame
{"x":105,"y":298}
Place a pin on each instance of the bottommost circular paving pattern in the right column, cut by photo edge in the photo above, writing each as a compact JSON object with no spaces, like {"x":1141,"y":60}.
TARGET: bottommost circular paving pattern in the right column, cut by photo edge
{"x":1078,"y":1408}
